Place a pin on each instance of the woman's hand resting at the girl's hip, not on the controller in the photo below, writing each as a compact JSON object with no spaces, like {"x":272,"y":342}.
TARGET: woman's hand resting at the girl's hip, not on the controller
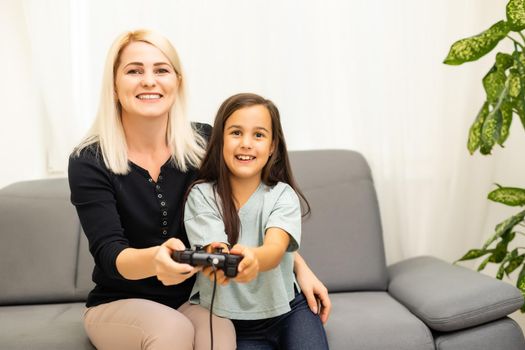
{"x":313,"y":289}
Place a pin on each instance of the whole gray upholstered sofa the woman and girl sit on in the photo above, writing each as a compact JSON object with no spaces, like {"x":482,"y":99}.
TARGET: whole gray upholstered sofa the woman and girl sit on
{"x":420,"y":303}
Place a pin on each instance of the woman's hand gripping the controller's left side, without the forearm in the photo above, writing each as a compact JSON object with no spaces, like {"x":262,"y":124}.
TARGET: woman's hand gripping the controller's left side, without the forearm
{"x":167,"y":270}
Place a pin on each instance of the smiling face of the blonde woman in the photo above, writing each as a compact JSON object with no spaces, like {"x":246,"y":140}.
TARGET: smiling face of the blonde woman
{"x":145,"y":82}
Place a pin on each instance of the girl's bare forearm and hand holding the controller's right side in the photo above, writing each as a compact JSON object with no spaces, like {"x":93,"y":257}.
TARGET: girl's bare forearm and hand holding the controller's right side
{"x":263,"y":258}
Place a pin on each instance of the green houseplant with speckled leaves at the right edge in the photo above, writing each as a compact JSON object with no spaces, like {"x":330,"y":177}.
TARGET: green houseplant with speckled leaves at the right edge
{"x":504,"y":85}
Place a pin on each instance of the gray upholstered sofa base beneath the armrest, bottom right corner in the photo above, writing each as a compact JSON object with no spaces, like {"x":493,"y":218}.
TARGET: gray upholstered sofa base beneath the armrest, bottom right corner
{"x":501,"y":334}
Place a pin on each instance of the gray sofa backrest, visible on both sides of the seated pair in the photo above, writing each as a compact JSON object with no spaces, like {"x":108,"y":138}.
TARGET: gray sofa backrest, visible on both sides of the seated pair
{"x":44,"y":254}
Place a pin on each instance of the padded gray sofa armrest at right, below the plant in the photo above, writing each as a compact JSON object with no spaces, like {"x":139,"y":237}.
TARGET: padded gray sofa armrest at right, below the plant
{"x":448,"y":297}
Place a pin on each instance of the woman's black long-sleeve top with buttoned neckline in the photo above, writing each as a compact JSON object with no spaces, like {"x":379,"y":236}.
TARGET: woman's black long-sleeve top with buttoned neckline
{"x":132,"y":210}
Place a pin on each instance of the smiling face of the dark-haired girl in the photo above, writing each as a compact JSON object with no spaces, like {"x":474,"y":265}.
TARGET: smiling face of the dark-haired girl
{"x":248,"y":142}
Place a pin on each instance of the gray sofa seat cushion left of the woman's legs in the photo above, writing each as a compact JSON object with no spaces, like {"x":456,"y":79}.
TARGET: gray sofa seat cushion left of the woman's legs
{"x":43,"y":327}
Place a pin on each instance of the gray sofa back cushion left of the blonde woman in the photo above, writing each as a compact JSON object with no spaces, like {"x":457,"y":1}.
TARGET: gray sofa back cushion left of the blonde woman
{"x":43,"y":255}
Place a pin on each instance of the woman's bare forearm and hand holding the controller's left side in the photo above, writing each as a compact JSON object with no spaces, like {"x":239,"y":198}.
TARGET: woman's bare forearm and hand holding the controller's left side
{"x":134,"y":264}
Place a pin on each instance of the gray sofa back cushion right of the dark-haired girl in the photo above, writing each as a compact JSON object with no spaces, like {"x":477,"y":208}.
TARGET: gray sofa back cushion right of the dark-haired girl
{"x":342,"y":239}
